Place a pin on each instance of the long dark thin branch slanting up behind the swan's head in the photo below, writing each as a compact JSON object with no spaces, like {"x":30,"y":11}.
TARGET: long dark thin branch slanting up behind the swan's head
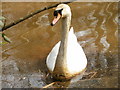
{"x":32,"y":14}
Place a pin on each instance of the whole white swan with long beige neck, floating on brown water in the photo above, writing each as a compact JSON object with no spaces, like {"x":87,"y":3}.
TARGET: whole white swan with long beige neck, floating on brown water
{"x":67,"y":57}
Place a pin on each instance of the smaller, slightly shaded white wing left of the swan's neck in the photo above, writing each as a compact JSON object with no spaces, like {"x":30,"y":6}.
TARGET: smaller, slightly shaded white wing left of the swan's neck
{"x":51,"y":58}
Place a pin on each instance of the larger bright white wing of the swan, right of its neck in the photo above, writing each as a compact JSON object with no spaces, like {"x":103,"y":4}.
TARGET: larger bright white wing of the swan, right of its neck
{"x":76,"y":59}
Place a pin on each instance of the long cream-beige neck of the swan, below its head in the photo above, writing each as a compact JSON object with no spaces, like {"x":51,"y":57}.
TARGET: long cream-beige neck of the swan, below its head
{"x":61,"y":62}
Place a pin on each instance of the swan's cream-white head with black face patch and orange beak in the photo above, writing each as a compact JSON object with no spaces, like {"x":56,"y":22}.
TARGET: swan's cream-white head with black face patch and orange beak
{"x":61,"y":11}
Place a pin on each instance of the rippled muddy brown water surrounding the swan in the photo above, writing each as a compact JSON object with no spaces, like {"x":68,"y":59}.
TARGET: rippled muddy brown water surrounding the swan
{"x":95,"y":25}
